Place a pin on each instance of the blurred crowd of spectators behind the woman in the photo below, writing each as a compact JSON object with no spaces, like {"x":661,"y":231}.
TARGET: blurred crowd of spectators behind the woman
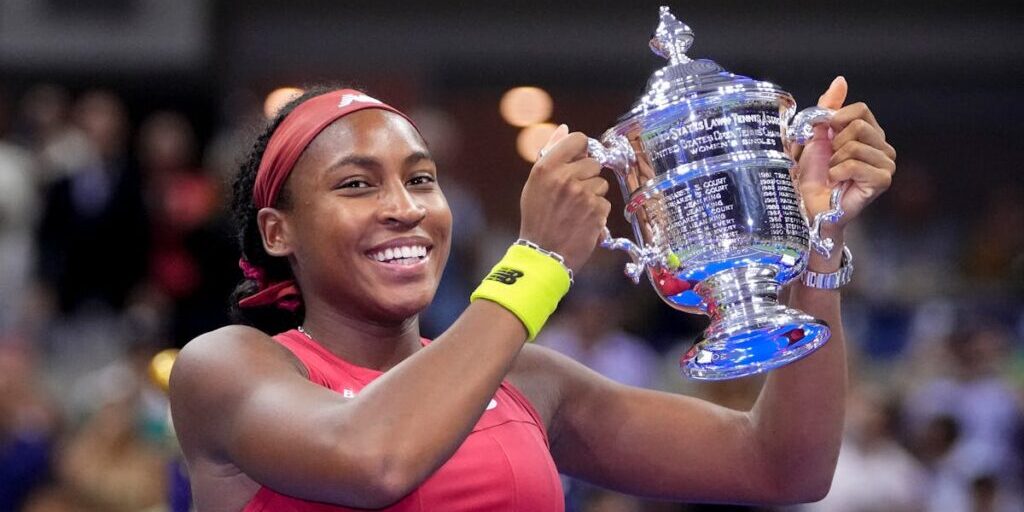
{"x":116,"y":243}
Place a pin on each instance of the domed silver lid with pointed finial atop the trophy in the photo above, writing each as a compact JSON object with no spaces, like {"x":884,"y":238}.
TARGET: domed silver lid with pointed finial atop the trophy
{"x":685,"y":79}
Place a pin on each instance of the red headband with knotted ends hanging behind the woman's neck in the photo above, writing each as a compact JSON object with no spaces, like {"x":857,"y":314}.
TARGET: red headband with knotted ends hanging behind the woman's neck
{"x":291,"y":139}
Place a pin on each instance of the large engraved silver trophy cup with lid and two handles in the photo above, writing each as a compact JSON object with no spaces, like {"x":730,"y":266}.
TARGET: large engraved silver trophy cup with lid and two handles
{"x":721,"y":228}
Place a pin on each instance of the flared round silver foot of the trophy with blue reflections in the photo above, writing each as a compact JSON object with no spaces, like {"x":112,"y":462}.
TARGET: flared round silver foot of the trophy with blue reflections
{"x":751,"y":333}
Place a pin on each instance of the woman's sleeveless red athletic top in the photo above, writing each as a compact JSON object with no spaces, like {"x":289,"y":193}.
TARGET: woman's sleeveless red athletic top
{"x":504,"y":464}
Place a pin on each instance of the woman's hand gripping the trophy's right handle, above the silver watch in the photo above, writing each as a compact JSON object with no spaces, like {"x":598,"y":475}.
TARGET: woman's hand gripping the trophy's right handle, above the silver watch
{"x":857,"y":153}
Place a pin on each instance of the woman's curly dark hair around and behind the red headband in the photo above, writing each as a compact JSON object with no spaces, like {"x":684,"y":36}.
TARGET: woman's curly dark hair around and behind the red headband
{"x":271,"y":319}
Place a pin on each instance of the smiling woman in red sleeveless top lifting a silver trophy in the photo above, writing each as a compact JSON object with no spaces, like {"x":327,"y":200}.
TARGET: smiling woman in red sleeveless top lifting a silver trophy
{"x":345,"y":237}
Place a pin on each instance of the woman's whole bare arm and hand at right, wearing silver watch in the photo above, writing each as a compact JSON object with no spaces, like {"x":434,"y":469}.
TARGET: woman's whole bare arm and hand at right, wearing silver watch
{"x":785,"y":449}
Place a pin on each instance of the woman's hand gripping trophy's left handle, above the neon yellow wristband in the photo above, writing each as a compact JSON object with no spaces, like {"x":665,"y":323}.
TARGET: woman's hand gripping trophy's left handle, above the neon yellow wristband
{"x":563,"y":204}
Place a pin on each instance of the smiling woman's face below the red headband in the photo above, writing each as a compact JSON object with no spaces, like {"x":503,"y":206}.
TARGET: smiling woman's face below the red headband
{"x":369,"y":229}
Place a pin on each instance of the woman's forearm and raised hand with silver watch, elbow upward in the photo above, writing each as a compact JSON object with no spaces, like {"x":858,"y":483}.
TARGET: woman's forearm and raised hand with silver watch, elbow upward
{"x":799,"y":415}
